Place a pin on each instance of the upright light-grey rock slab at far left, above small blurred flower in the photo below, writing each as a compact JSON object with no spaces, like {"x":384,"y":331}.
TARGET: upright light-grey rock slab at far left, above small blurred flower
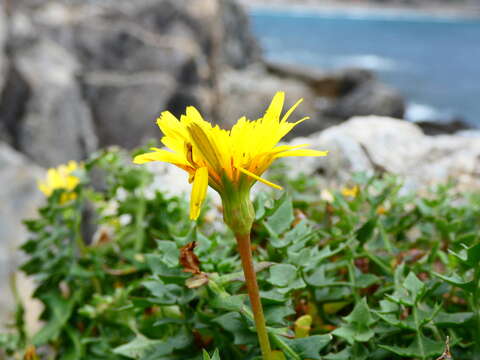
{"x":57,"y":125}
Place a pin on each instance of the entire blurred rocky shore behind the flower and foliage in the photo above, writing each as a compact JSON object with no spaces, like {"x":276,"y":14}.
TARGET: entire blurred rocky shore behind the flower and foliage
{"x":79,"y":75}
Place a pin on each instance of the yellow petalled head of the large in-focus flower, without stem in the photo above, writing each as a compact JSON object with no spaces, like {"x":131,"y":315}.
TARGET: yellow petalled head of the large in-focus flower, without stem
{"x":230,"y":161}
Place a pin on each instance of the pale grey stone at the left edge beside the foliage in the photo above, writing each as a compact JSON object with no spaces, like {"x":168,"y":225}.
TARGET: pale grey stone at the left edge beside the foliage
{"x":19,"y":199}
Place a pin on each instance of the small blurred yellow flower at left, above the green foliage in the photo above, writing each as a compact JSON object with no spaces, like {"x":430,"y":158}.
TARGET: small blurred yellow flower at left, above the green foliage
{"x":61,"y":178}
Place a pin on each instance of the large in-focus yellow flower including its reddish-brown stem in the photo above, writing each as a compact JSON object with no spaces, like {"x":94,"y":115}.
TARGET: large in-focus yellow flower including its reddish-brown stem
{"x":230,"y":161}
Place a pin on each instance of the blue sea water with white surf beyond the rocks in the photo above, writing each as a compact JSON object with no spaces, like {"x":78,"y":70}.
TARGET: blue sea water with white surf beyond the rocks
{"x":434,"y":62}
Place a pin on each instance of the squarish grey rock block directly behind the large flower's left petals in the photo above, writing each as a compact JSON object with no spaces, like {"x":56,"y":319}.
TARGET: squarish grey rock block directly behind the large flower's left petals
{"x":125,"y":106}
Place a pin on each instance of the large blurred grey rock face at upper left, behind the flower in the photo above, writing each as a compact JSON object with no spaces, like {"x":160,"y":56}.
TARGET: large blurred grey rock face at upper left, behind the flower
{"x":131,"y":62}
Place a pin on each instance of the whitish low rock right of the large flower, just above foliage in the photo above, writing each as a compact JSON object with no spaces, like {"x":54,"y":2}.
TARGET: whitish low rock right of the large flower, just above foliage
{"x":383,"y":144}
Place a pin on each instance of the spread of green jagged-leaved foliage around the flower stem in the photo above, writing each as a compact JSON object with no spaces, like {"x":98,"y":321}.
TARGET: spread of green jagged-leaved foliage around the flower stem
{"x":382,"y":273}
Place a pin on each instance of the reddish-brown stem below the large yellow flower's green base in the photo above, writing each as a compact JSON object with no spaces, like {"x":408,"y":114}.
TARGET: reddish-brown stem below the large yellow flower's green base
{"x":245,"y":249}
